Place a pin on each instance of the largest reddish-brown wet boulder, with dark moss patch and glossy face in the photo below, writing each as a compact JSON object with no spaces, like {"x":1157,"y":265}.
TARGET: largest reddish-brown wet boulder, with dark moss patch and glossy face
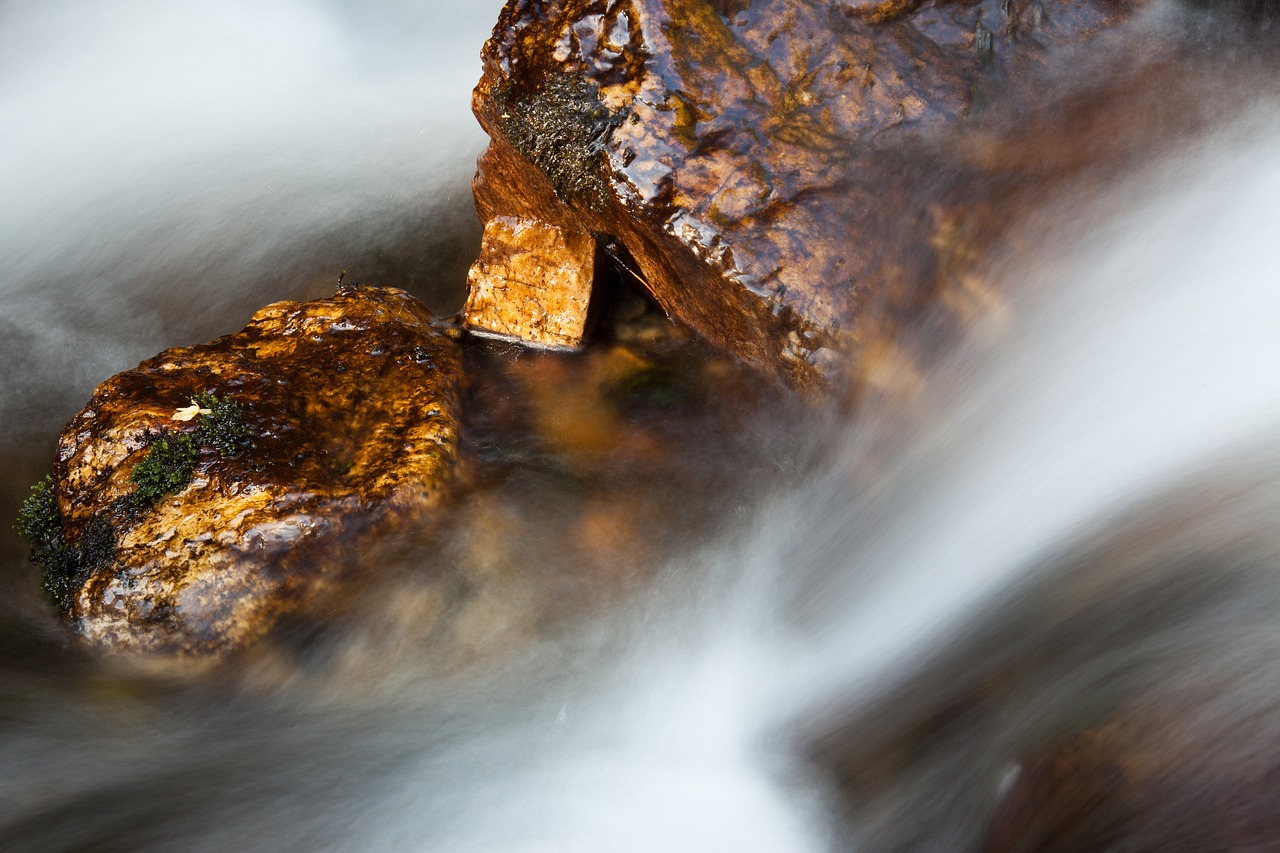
{"x":737,"y":150}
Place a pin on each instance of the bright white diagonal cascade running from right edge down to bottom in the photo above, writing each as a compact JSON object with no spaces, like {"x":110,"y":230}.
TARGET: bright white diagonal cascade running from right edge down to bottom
{"x":1155,"y":357}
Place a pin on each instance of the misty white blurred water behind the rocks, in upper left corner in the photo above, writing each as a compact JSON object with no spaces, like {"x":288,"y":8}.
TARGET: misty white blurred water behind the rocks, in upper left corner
{"x":167,"y":170}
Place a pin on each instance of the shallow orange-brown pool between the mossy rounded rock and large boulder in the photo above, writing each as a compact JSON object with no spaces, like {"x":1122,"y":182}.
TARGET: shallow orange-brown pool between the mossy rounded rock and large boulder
{"x":589,"y":475}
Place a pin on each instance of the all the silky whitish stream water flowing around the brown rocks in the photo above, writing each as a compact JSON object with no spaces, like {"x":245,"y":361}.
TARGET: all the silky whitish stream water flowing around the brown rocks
{"x":1081,"y":516}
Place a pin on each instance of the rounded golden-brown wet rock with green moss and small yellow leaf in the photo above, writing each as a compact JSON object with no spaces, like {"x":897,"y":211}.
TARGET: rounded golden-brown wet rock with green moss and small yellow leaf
{"x":213,"y":490}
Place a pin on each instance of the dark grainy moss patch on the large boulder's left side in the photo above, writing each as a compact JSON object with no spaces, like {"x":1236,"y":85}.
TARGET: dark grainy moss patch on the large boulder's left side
{"x":563,"y":127}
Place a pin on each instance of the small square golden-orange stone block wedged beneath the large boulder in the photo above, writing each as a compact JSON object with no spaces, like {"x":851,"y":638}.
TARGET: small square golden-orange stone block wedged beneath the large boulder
{"x":532,"y":284}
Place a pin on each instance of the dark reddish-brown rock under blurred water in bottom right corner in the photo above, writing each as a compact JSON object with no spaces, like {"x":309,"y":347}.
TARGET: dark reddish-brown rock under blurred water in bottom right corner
{"x":1151,"y":781}
